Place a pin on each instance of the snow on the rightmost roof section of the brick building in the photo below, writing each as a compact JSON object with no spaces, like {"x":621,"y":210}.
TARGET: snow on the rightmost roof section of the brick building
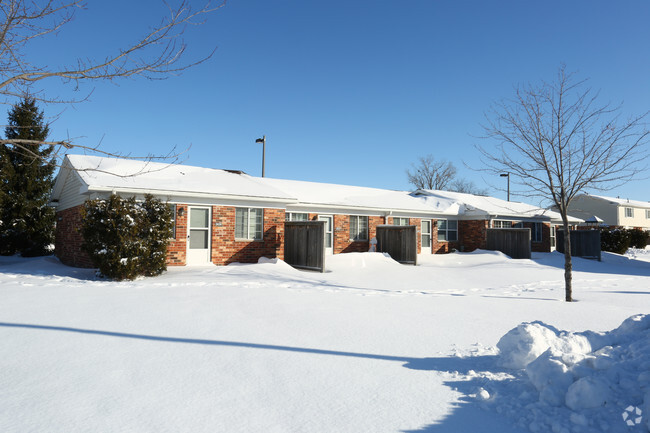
{"x":476,"y":205}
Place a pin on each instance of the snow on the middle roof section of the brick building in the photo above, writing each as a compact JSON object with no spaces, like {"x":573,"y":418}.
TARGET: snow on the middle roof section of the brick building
{"x":327,"y":194}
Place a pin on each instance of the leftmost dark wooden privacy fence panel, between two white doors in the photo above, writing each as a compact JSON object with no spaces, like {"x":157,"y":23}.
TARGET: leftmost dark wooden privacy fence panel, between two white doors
{"x":304,"y":244}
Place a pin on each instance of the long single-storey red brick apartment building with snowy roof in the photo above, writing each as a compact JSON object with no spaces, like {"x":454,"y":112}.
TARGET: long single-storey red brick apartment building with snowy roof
{"x":222,"y":216}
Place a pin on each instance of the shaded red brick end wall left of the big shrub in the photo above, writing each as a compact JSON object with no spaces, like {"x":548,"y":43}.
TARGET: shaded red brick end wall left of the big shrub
{"x":68,"y":239}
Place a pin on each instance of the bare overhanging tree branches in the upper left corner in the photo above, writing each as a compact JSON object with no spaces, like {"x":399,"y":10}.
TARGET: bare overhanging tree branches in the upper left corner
{"x":157,"y":54}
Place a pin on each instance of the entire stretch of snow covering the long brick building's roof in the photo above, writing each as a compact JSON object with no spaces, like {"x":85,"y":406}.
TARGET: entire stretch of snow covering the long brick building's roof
{"x":107,"y":174}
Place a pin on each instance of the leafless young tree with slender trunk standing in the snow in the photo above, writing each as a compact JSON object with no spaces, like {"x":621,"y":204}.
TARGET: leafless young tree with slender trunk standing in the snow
{"x":558,"y":140}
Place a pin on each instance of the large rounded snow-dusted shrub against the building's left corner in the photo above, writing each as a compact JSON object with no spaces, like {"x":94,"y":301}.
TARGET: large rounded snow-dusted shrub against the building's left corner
{"x":124,"y":238}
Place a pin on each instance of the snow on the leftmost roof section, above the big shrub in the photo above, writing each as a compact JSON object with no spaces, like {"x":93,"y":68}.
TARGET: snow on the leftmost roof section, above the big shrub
{"x":100,"y":173}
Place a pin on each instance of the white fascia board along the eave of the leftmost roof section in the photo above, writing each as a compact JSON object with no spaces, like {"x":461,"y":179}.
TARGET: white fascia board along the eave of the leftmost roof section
{"x":183,"y":197}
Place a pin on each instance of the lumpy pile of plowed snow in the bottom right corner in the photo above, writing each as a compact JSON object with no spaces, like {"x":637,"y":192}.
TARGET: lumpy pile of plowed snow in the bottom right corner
{"x":582,"y":381}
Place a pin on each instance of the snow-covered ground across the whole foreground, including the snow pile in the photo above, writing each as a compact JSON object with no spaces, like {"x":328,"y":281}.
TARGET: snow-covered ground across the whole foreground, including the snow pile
{"x":369,"y":346}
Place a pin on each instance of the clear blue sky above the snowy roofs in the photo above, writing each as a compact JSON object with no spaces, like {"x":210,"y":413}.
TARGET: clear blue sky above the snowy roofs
{"x":348,"y":92}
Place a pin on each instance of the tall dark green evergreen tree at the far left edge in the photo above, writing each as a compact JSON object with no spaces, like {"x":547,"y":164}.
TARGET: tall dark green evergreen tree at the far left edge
{"x":26,"y":171}
